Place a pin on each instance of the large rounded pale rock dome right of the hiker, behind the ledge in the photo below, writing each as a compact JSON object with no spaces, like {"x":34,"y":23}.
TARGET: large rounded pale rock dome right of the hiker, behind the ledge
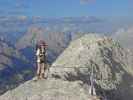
{"x":112,"y":64}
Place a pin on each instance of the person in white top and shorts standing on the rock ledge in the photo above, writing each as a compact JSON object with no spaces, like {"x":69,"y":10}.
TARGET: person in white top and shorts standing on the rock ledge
{"x":41,"y":59}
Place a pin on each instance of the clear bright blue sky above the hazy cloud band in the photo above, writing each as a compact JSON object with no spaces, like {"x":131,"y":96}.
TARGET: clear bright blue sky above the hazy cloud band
{"x":67,"y":8}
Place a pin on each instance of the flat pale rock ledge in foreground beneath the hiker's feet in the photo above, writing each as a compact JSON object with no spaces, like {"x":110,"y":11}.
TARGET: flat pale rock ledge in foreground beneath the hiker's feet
{"x":50,"y":89}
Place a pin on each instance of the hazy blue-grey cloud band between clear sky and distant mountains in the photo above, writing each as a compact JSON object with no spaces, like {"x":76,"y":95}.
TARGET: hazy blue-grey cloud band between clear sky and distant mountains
{"x":13,"y":27}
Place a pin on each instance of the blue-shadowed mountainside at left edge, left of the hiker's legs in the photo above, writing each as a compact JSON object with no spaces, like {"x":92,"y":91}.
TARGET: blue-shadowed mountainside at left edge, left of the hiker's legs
{"x":14,"y":67}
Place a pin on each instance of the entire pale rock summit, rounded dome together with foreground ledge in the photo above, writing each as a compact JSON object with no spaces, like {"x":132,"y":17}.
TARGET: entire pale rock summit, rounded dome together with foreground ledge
{"x":70,"y":76}
